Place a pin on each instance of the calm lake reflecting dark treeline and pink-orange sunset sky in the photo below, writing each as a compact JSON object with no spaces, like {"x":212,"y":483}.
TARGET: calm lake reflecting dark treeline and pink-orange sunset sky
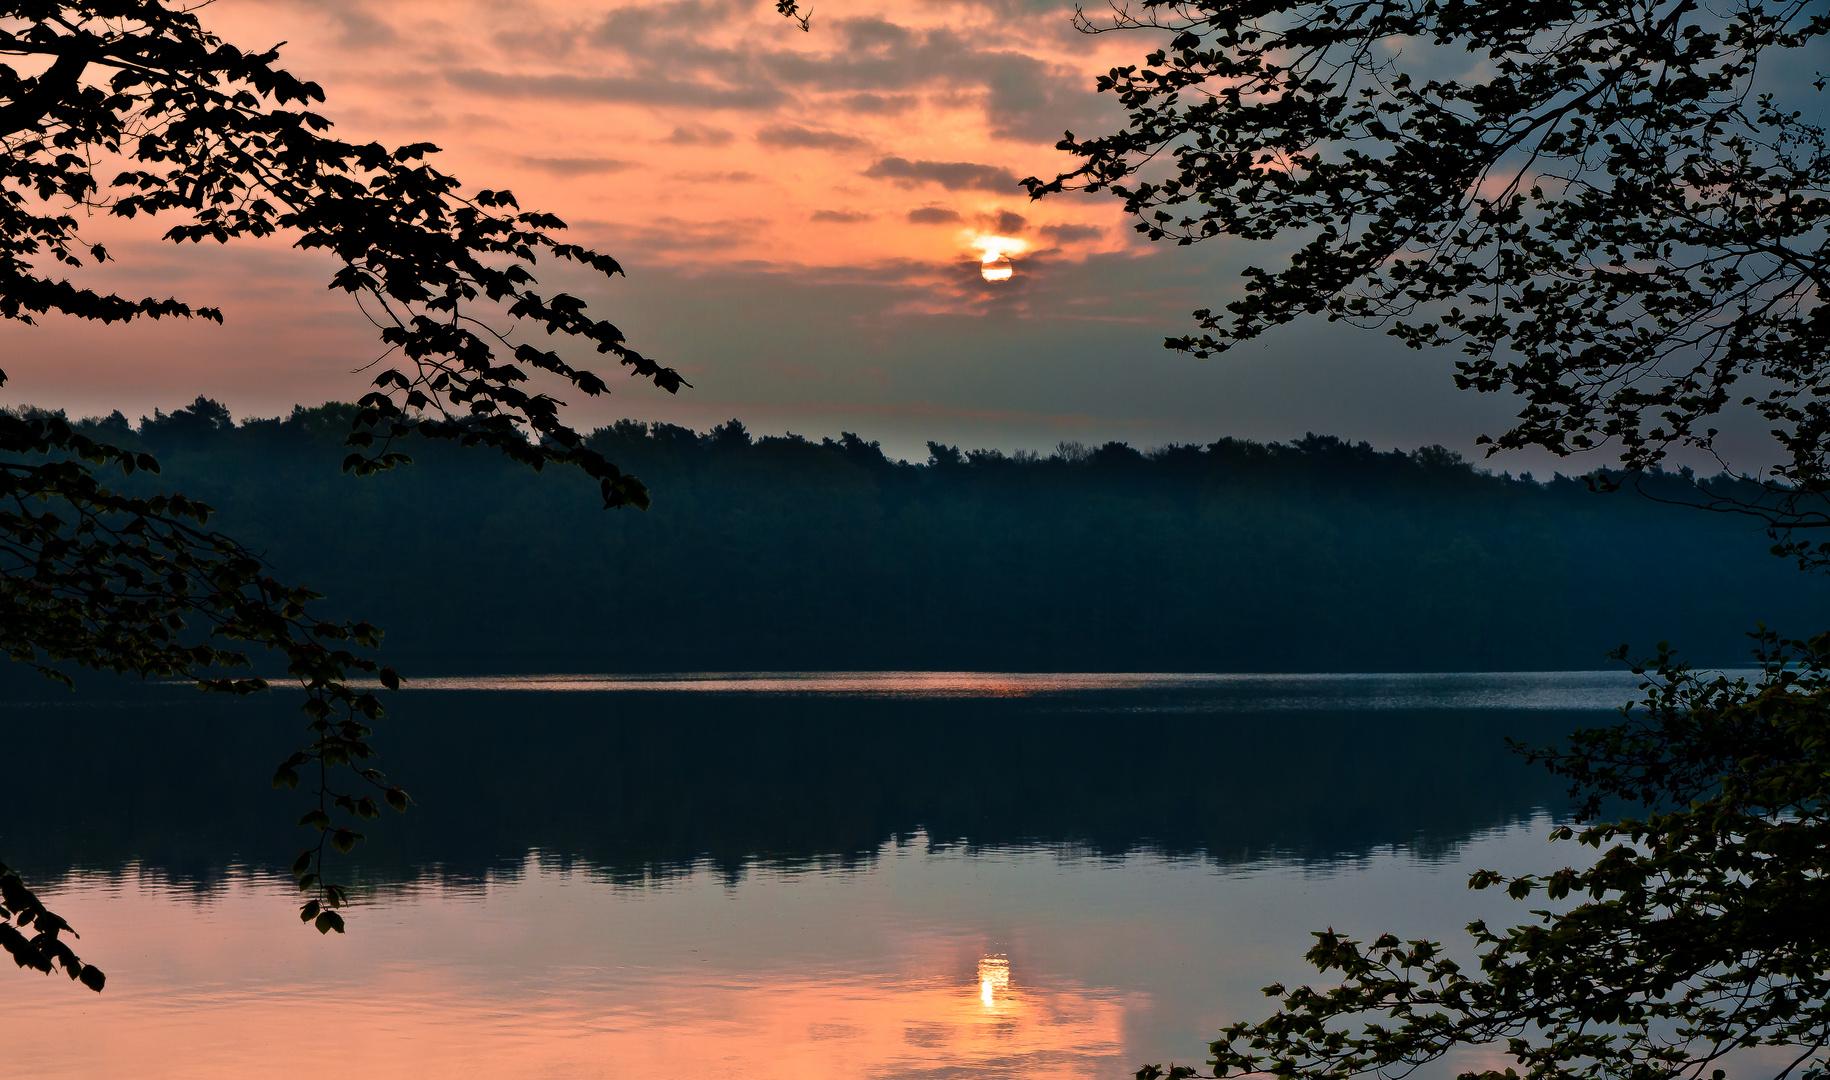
{"x":760,"y":874}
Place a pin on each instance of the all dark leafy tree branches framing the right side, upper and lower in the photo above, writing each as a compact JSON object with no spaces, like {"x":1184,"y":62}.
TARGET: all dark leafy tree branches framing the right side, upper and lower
{"x":1611,"y":215}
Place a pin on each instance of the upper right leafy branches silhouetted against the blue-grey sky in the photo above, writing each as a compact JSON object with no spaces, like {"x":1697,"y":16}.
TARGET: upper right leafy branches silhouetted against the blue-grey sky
{"x":1615,"y":211}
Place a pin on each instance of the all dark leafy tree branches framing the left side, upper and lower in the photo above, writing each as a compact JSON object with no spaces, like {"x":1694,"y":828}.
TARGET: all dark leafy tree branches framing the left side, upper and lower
{"x":127,"y":109}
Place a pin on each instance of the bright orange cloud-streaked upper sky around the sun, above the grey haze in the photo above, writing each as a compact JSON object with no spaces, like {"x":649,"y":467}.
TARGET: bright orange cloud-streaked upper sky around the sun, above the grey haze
{"x":709,"y":135}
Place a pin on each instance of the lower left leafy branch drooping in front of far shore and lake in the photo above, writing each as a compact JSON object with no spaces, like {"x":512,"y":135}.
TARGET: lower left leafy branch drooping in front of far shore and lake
{"x":140,"y":587}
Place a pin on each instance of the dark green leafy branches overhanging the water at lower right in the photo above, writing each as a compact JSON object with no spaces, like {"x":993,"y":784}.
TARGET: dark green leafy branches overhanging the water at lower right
{"x":1692,"y":942}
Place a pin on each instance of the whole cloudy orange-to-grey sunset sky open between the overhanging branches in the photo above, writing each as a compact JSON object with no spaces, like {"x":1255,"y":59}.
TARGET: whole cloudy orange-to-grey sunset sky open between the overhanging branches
{"x":801,"y":217}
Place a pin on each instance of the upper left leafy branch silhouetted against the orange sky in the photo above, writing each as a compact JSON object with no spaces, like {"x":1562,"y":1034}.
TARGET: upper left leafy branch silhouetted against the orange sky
{"x":202,"y":129}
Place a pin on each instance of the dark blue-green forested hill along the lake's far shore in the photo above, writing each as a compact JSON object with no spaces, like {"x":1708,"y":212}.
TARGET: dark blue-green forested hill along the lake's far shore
{"x":790,"y":554}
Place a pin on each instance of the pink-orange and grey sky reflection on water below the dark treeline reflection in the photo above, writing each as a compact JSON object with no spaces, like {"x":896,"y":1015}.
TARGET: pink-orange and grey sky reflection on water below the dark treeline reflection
{"x":925,"y":964}
